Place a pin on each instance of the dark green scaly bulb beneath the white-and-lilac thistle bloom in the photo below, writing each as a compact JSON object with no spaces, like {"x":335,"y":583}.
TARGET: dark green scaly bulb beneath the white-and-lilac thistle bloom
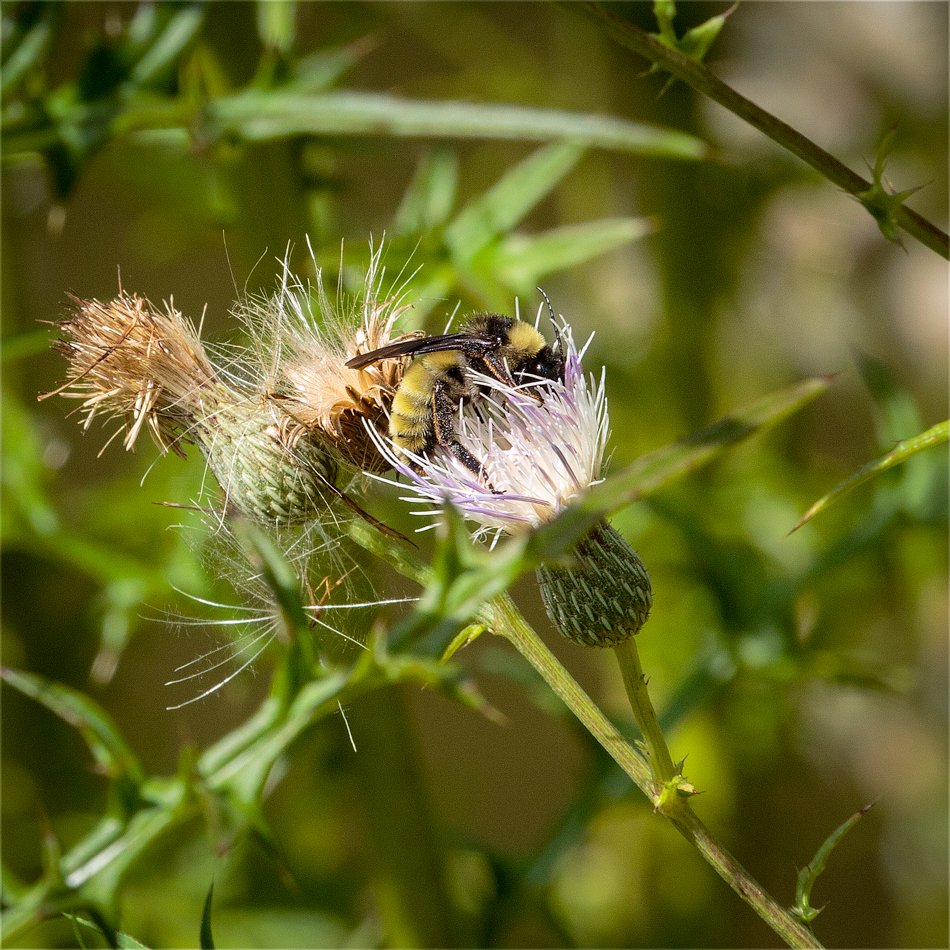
{"x":604,"y":597}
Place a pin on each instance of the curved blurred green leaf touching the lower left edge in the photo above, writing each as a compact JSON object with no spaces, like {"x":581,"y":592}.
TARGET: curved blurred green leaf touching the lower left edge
{"x":99,"y":732}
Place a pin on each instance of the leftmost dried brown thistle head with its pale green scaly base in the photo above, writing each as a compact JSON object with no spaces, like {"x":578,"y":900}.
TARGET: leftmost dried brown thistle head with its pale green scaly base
{"x":130,"y":360}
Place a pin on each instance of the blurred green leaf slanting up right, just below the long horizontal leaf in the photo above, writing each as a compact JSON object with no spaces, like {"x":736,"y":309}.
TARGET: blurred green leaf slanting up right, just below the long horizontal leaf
{"x":507,"y":202}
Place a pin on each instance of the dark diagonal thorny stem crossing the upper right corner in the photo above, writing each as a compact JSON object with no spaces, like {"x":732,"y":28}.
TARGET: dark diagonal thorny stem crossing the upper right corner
{"x":699,"y":77}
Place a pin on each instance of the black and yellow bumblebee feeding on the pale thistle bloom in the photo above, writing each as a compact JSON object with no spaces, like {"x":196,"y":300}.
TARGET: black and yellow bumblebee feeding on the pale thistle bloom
{"x":439,"y":378}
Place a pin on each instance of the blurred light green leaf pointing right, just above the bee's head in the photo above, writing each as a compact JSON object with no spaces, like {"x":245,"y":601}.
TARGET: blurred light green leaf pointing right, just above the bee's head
{"x":522,"y":260}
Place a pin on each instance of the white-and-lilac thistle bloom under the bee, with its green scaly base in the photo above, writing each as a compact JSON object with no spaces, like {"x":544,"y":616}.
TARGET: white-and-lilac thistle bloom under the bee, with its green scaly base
{"x":536,"y":458}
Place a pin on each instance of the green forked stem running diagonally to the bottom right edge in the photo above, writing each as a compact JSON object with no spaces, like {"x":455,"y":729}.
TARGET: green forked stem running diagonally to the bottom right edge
{"x":505,"y":619}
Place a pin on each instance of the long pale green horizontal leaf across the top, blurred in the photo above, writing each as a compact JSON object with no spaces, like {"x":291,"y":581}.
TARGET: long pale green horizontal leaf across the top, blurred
{"x":257,"y":116}
